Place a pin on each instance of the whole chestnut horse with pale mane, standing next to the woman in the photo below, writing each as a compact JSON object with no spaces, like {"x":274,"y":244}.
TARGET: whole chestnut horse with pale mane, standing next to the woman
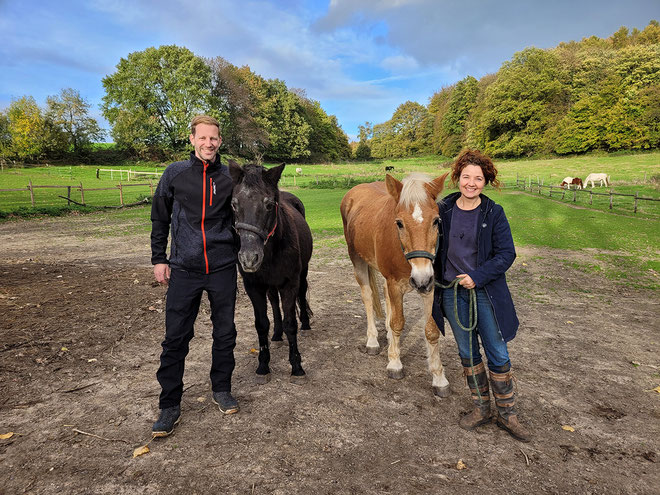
{"x":393,"y":227}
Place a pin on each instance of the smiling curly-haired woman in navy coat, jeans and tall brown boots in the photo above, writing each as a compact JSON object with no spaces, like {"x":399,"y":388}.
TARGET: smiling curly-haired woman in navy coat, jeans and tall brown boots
{"x":475,"y":252}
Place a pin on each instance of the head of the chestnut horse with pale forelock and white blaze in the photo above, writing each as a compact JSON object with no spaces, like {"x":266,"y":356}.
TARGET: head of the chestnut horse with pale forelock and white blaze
{"x":418,"y":224}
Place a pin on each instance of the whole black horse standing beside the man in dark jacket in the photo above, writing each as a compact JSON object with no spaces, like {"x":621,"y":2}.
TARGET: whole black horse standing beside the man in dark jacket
{"x":276,"y":246}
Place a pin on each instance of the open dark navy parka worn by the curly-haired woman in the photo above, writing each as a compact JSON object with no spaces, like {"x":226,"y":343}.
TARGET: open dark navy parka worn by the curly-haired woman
{"x":495,"y":254}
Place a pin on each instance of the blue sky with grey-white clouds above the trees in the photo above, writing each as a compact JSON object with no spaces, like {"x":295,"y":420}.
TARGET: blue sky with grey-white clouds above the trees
{"x":359,"y":58}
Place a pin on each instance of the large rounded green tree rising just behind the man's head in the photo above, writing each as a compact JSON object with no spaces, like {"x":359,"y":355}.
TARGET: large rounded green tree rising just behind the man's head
{"x":154,"y":94}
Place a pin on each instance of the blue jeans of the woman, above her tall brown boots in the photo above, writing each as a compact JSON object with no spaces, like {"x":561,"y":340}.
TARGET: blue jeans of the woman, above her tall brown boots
{"x":487,"y":330}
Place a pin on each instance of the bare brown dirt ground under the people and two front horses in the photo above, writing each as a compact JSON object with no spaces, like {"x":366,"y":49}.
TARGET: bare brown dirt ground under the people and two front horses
{"x":81,"y":325}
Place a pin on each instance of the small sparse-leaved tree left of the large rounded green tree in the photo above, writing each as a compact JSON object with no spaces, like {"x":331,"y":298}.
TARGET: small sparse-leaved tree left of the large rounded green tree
{"x":69,"y":112}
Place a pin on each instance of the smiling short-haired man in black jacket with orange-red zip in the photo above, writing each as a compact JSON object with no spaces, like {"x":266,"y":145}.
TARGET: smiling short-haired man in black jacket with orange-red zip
{"x":194,"y":198}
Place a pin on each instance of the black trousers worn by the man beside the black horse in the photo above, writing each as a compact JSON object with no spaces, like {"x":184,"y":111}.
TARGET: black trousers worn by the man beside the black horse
{"x":183,"y":298}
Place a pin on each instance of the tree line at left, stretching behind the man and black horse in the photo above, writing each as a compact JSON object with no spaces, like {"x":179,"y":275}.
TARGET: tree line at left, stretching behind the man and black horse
{"x":150,"y":100}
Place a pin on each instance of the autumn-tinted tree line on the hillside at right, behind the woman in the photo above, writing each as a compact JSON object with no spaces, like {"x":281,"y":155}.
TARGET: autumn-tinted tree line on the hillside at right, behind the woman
{"x":595,"y":94}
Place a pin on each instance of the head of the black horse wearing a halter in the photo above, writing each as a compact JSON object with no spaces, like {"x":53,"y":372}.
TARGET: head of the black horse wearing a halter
{"x":255,"y":201}
